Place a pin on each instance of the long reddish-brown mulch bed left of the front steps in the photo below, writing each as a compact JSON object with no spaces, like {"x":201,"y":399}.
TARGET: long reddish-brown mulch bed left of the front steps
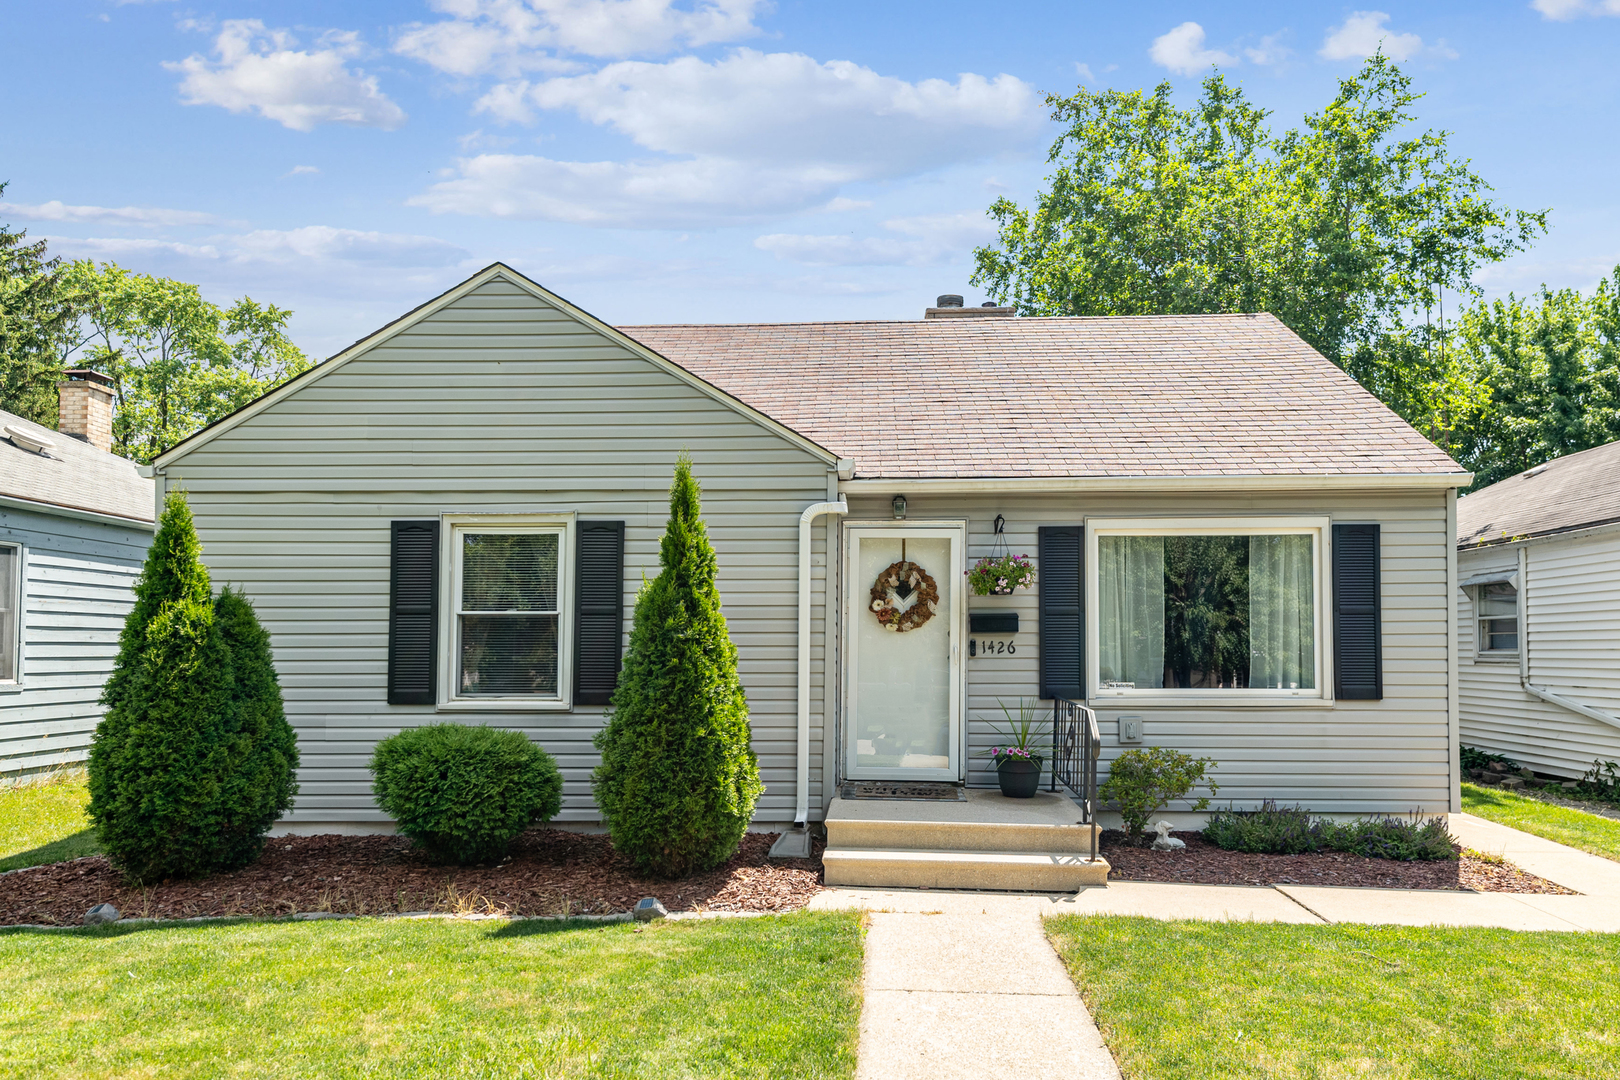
{"x":550,"y":872}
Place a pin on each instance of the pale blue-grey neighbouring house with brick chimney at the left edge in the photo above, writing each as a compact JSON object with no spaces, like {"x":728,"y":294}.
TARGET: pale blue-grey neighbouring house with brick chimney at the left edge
{"x":75,"y":524}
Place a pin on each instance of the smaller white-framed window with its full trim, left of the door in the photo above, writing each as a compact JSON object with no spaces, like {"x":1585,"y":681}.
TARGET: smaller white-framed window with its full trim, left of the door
{"x":508,"y":632}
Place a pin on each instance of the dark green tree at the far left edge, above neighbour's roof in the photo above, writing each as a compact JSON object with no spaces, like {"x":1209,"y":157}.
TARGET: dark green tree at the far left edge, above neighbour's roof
{"x":36,"y":313}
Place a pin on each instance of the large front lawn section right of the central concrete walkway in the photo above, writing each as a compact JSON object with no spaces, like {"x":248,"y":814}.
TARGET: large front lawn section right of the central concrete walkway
{"x":1196,"y":1001}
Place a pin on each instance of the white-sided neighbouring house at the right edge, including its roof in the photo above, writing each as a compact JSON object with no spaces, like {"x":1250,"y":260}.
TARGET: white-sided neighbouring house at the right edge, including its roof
{"x":1540,"y":613}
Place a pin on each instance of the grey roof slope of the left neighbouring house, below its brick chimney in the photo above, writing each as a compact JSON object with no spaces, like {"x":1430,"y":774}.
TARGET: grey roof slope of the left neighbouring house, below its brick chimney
{"x":72,"y":475}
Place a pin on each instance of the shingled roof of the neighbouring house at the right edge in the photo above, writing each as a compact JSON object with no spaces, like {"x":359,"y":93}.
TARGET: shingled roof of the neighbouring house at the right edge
{"x":1571,"y":493}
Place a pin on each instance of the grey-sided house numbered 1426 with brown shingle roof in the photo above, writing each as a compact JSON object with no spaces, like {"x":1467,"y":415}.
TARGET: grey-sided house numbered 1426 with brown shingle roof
{"x":451,"y":519}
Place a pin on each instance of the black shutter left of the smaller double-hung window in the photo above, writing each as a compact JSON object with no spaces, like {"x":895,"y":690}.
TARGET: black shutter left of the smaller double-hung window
{"x":414,"y":613}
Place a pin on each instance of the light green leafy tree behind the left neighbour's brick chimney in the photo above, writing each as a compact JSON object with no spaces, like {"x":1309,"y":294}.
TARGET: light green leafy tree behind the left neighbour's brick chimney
{"x":177,"y":362}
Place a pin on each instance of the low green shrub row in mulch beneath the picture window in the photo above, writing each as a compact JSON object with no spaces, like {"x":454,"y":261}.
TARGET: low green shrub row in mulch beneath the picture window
{"x":1294,"y":831}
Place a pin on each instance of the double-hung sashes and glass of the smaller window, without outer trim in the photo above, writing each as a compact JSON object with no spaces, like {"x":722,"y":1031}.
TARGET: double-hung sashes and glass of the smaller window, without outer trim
{"x":508,"y":611}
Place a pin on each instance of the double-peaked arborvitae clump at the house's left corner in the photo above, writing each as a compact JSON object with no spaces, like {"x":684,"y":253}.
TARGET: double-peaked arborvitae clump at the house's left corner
{"x":194,"y":760}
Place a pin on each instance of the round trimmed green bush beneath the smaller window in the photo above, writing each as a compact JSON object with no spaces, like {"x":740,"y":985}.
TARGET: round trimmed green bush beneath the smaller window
{"x":463,"y":793}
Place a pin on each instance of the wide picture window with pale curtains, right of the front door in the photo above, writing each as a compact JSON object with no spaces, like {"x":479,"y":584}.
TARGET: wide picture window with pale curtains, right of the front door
{"x":1208,"y":611}
